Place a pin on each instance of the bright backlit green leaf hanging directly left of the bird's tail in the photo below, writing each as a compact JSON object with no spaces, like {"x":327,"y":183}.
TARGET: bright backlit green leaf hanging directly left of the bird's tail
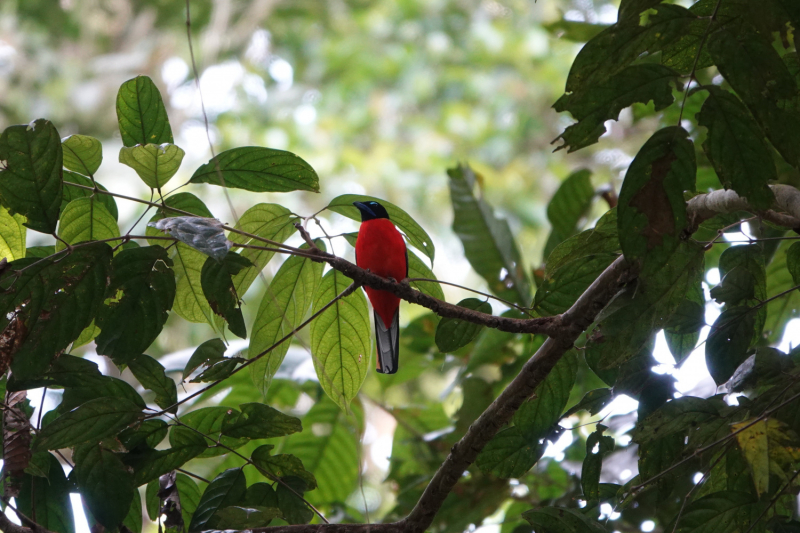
{"x":340,"y":339}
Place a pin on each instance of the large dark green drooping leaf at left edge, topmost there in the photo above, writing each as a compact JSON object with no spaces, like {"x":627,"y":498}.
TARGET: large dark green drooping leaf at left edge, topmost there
{"x":30,"y":183}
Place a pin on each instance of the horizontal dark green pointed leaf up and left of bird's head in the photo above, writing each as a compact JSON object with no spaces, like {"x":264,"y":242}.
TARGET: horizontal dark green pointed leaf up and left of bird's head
{"x":258,"y":169}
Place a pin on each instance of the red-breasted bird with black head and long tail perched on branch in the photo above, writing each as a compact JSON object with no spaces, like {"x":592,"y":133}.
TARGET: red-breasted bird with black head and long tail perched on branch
{"x":380,"y":248}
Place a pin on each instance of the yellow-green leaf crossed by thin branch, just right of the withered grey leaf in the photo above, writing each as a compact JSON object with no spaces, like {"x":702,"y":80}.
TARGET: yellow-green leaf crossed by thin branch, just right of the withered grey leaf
{"x":269,"y":221}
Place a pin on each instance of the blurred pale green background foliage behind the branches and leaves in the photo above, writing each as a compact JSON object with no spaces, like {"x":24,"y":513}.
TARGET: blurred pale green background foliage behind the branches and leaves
{"x":381,"y":97}
